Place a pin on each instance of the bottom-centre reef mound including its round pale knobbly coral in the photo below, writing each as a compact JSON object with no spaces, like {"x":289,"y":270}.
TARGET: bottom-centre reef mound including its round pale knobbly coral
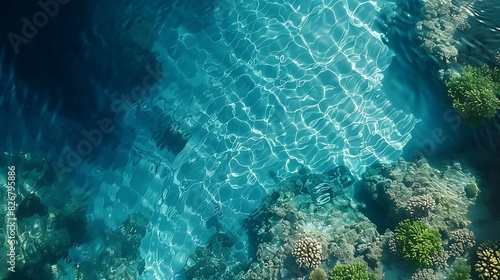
{"x":308,"y":221}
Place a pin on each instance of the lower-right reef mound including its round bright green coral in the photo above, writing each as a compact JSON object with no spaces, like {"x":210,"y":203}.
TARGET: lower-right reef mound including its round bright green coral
{"x":417,"y":199}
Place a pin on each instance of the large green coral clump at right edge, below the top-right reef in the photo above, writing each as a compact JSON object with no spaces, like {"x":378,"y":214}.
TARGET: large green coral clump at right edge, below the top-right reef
{"x":474,"y":94}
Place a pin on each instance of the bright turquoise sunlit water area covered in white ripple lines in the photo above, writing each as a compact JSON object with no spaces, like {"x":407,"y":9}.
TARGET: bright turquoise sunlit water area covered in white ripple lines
{"x":270,"y":86}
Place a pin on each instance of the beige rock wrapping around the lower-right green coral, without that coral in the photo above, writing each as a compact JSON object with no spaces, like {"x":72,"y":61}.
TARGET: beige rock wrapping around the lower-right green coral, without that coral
{"x":433,"y":195}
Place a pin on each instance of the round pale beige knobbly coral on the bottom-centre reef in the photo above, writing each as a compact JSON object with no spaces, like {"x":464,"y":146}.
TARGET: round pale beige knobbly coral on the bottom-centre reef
{"x":307,"y":252}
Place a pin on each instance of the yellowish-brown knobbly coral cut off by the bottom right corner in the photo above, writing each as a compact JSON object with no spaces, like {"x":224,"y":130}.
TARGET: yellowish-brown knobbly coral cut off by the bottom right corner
{"x":488,"y":263}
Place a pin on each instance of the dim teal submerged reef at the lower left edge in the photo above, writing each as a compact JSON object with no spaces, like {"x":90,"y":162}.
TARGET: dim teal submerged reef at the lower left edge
{"x":42,"y":216}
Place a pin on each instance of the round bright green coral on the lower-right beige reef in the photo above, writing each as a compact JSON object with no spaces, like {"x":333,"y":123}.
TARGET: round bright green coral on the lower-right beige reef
{"x":417,"y":243}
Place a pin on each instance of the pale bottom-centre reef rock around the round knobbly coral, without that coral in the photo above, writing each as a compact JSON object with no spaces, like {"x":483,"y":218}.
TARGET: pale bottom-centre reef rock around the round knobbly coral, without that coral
{"x":293,"y":213}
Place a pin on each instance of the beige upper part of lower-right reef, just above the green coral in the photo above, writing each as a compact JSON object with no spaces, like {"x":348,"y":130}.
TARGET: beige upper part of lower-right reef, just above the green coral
{"x":390,"y":188}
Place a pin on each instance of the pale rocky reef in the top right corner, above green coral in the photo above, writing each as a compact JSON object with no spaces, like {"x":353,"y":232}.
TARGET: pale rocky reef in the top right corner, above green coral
{"x":451,"y":33}
